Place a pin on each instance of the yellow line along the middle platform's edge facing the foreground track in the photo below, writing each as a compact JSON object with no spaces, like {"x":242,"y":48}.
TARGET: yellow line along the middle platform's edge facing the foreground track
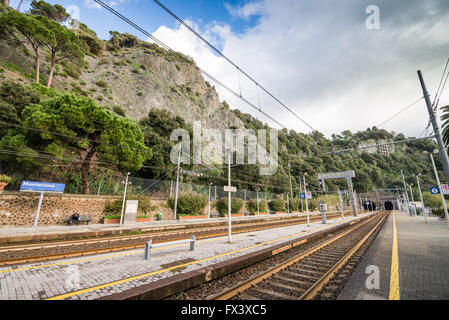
{"x":75,"y":293}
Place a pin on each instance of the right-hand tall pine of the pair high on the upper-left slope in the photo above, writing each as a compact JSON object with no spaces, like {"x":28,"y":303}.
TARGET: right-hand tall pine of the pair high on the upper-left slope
{"x":62,"y":43}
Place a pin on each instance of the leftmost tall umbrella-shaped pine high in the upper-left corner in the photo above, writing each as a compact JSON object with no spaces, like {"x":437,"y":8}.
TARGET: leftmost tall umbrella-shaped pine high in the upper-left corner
{"x":26,"y":29}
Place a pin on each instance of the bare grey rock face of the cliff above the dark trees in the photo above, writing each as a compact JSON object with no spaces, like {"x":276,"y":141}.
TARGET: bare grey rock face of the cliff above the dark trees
{"x":141,"y":79}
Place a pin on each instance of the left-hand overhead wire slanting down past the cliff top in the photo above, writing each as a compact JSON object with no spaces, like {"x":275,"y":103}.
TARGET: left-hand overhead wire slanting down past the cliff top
{"x":116,"y":13}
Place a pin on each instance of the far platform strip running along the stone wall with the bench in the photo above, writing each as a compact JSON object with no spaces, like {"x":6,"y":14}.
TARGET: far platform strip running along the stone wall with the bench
{"x":61,"y":232}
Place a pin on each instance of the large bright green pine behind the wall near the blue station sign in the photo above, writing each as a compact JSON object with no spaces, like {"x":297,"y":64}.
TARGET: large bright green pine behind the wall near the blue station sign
{"x":102,"y":135}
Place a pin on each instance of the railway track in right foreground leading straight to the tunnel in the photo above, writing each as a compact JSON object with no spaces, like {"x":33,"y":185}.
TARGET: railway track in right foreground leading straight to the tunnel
{"x":307,"y":275}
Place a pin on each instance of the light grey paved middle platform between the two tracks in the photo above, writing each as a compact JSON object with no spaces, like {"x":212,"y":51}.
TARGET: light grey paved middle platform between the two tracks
{"x":102,"y":275}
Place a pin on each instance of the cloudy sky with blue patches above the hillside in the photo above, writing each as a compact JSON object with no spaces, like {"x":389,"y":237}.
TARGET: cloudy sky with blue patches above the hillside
{"x":317,"y":56}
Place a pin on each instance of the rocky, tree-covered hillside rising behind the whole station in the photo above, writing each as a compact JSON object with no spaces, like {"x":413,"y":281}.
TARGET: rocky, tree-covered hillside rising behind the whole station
{"x":159,"y":91}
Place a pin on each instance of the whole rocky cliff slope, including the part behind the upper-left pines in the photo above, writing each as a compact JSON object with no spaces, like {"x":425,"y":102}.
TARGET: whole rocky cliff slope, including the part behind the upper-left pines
{"x":133,"y":75}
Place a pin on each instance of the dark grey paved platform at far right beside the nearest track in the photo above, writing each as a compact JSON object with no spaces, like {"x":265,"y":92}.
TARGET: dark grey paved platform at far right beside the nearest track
{"x":423,"y":260}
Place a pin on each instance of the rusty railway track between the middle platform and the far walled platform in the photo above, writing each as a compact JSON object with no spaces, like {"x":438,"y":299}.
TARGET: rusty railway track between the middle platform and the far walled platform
{"x":31,"y":253}
